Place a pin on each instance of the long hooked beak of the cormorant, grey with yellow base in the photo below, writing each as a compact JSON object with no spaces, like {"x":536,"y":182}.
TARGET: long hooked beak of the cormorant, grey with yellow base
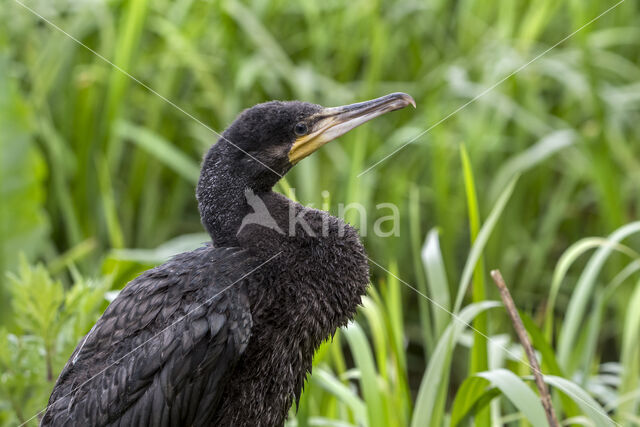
{"x":332,"y":122}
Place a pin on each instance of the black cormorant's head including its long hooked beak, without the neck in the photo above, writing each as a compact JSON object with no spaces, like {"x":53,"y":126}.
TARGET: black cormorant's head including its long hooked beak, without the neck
{"x":267,"y":140}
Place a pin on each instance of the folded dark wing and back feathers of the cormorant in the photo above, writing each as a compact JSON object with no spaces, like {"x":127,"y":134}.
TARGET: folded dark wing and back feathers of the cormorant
{"x":164,"y":348}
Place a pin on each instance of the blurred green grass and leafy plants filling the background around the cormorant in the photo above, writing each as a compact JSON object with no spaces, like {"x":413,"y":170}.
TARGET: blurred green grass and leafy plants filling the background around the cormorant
{"x":97,"y":178}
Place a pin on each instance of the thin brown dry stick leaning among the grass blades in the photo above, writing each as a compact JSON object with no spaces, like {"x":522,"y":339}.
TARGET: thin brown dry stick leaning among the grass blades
{"x":528,"y":348}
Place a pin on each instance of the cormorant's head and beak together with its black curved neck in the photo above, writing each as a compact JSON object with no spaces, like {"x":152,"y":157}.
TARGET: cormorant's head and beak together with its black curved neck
{"x":262,"y":144}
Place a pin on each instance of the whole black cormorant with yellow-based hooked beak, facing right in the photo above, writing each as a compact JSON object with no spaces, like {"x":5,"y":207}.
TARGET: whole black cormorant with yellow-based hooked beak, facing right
{"x":225,"y":335}
